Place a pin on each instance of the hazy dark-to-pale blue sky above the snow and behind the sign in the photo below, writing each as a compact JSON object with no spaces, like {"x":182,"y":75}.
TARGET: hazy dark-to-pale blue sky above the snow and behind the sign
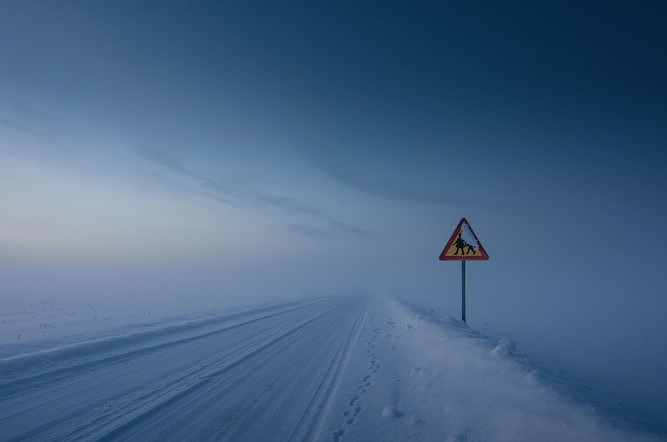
{"x":256,"y":147}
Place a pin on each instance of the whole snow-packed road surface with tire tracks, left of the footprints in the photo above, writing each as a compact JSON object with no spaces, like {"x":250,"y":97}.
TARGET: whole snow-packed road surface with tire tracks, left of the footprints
{"x":150,"y":392}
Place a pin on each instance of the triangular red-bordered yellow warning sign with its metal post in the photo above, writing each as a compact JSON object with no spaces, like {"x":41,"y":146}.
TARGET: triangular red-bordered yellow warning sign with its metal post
{"x":463,"y":246}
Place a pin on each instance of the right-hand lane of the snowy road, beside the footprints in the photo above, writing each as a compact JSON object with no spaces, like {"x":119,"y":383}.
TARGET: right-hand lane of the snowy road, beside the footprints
{"x":252,"y":415}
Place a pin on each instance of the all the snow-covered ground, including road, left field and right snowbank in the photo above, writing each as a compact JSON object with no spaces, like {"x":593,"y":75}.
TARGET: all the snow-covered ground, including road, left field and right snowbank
{"x":336,"y":368}
